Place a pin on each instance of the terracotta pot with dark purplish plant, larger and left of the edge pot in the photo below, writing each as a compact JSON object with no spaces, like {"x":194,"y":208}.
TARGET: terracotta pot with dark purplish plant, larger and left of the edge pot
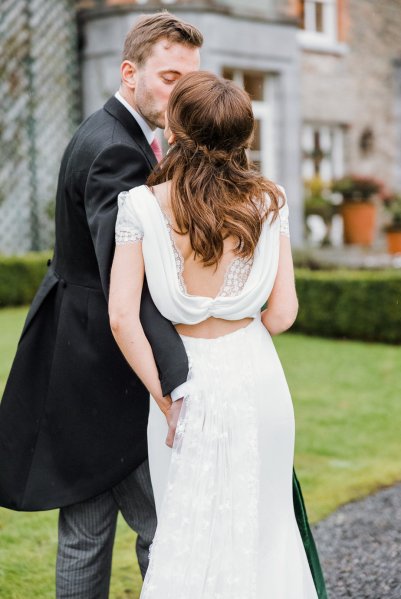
{"x":358,"y":208}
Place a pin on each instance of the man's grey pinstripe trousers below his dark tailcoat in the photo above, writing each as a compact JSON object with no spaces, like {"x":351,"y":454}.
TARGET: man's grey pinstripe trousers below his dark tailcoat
{"x":86,"y":536}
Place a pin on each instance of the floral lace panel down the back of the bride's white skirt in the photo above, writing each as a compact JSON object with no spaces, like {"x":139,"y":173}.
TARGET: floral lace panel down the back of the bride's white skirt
{"x":208,"y":521}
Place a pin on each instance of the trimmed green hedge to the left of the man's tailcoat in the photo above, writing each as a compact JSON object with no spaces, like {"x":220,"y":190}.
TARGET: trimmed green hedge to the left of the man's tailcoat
{"x":20,"y":277}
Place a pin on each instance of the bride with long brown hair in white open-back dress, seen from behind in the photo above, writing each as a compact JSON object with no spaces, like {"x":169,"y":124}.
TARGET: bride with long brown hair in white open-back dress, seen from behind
{"x":212,"y":236}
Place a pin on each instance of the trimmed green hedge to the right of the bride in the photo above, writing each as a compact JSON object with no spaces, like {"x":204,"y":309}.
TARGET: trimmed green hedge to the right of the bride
{"x":350,"y":304}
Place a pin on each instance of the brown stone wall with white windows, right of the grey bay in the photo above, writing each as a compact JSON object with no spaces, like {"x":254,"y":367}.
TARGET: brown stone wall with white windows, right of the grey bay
{"x":351,"y":88}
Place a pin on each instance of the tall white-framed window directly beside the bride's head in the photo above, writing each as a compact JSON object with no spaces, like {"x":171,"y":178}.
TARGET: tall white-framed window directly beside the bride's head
{"x":260,"y":87}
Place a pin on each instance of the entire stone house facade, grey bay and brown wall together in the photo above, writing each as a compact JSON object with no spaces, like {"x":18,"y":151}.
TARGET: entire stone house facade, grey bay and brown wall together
{"x":325,"y":77}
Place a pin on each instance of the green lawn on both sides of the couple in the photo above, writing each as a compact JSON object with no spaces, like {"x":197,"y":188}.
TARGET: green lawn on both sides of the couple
{"x":347,"y":398}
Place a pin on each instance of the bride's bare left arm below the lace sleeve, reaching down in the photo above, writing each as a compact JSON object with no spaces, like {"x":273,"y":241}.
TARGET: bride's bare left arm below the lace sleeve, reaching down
{"x":127,"y":275}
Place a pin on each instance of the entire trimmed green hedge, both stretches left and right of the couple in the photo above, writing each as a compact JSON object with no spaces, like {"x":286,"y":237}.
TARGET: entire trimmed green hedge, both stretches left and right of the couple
{"x":338,"y":303}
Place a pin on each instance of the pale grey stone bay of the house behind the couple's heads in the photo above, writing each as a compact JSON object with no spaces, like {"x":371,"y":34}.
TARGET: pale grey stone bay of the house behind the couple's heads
{"x":253,"y":42}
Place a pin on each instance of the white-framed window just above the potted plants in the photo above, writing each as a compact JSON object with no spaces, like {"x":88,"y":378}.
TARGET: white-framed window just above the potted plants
{"x":322,"y":151}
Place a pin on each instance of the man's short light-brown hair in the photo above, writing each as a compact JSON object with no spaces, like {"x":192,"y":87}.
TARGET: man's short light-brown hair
{"x":148,"y":29}
